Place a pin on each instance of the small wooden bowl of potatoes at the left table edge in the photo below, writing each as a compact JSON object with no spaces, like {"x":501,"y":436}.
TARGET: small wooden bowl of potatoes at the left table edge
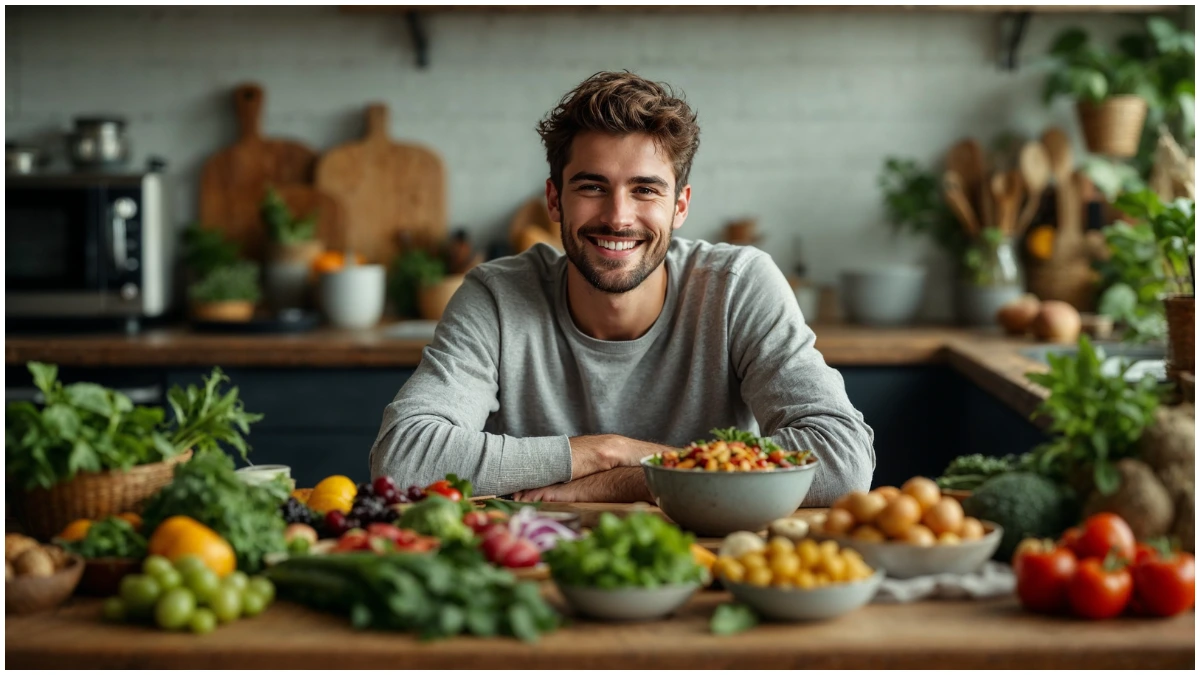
{"x":38,"y":577}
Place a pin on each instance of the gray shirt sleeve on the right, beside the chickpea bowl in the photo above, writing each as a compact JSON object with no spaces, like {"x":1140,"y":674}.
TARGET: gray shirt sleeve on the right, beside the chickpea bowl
{"x":799,"y":401}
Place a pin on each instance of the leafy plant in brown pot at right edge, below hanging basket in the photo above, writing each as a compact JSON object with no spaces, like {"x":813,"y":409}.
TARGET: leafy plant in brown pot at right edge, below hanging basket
{"x":1173,"y":228}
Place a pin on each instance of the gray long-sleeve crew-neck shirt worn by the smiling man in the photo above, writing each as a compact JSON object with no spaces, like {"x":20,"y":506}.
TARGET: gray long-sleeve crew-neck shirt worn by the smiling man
{"x":509,"y":378}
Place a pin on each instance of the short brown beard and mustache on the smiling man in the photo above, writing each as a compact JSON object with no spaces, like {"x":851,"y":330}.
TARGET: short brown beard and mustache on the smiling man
{"x":602,"y":273}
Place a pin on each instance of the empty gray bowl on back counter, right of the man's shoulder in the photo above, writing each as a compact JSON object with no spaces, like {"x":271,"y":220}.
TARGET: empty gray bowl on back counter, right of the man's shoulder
{"x":884,"y":296}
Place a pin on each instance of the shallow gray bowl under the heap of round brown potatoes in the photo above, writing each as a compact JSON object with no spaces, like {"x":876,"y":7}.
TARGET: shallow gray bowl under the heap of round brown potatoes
{"x":905,"y":561}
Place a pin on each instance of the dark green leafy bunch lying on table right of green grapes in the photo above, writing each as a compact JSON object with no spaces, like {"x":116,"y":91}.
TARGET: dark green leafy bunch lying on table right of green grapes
{"x":434,"y":595}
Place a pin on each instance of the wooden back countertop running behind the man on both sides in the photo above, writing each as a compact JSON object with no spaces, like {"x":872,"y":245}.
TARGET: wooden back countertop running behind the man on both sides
{"x":986,"y":357}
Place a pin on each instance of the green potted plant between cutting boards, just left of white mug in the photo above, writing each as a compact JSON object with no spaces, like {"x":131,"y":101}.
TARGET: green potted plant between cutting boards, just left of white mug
{"x":291,"y":254}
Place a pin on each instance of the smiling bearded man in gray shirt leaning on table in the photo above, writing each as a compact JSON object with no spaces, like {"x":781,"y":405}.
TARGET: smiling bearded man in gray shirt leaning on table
{"x":551,"y":377}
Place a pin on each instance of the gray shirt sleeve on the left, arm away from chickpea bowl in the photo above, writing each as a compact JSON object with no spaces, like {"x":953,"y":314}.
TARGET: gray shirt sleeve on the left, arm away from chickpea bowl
{"x":436,"y":423}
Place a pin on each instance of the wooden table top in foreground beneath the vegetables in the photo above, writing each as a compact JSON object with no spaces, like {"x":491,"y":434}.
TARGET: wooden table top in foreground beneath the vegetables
{"x":994,"y":634}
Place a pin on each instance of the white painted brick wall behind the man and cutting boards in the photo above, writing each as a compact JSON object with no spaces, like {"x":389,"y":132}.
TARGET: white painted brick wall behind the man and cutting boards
{"x":797,"y":109}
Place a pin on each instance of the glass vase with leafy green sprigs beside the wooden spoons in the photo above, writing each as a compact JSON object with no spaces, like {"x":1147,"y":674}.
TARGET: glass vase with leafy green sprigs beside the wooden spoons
{"x":987,"y":271}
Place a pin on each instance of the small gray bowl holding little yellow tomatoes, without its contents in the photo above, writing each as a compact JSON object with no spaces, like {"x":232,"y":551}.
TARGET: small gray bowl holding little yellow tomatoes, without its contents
{"x":807,"y":605}
